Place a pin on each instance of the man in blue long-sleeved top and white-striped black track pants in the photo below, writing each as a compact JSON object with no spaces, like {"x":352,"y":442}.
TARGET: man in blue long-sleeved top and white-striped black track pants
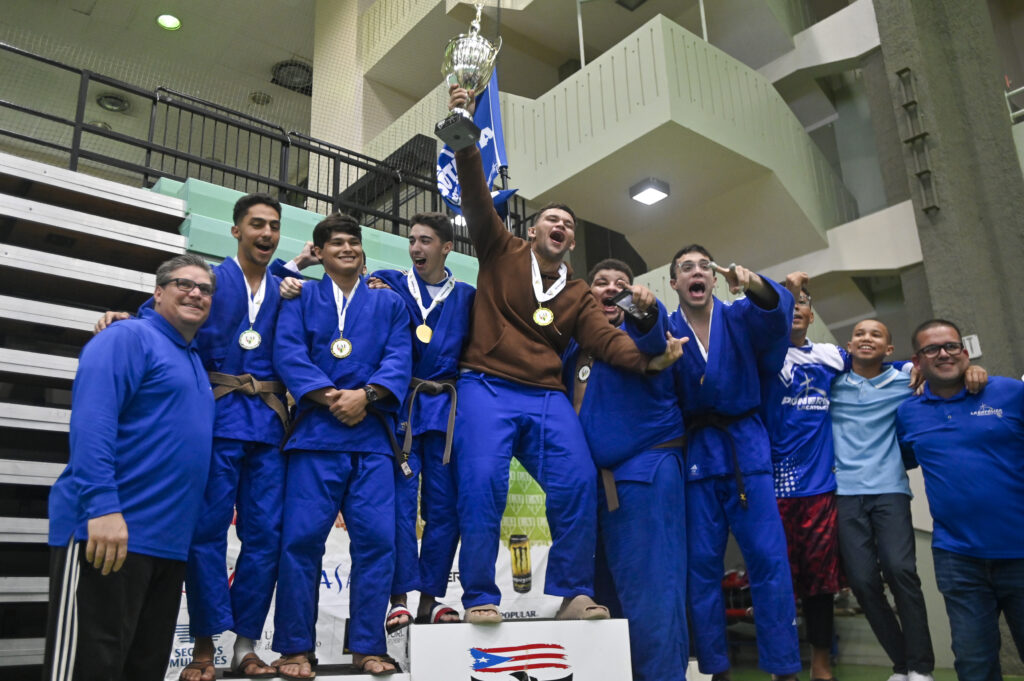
{"x":122,"y":514}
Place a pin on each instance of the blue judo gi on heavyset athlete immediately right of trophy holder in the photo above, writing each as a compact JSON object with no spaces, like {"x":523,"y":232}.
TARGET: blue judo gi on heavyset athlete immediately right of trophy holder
{"x":643,"y":544}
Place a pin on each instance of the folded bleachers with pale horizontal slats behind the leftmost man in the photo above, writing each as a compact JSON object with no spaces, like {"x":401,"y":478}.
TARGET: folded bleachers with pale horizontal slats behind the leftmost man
{"x":71,"y":247}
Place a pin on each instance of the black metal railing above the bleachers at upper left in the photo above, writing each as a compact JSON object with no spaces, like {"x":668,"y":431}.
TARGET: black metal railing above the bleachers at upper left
{"x":190,"y":138}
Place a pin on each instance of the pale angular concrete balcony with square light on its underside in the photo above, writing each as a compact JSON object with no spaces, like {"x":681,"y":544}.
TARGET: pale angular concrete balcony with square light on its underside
{"x":746,"y":180}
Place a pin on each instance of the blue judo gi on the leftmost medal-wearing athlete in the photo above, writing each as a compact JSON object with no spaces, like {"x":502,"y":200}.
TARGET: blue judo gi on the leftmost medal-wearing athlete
{"x":247,"y":471}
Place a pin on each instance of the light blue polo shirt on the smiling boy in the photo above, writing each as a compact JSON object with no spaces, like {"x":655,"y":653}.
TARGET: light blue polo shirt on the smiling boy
{"x":868,"y":456}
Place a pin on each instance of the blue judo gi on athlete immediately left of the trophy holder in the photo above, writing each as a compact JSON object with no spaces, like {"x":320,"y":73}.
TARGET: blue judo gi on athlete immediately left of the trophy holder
{"x":436,"y":361}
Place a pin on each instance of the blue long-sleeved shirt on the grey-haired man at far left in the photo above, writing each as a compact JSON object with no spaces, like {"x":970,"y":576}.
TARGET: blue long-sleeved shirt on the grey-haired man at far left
{"x":142,"y":433}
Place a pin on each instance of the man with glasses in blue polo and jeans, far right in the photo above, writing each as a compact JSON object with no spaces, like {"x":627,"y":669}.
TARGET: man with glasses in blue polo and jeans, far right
{"x":971,"y":451}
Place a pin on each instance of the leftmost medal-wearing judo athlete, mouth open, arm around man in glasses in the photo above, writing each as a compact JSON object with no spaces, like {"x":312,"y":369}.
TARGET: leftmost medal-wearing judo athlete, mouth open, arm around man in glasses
{"x":248,"y":470}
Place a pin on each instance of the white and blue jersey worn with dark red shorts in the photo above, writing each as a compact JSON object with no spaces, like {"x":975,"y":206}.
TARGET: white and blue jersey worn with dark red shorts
{"x":796,"y":407}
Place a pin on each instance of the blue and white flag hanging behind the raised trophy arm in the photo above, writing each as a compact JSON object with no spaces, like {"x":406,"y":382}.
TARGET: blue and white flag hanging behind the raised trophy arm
{"x":492,"y":145}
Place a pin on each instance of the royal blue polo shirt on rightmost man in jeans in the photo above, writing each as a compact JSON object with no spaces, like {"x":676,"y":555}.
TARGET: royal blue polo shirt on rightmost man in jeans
{"x":971,"y":450}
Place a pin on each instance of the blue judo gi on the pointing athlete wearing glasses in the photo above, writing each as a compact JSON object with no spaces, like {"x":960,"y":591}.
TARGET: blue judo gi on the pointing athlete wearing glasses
{"x":748,"y":345}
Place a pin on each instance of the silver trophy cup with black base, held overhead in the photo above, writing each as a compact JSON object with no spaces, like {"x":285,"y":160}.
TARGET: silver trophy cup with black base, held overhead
{"x":470,"y":60}
